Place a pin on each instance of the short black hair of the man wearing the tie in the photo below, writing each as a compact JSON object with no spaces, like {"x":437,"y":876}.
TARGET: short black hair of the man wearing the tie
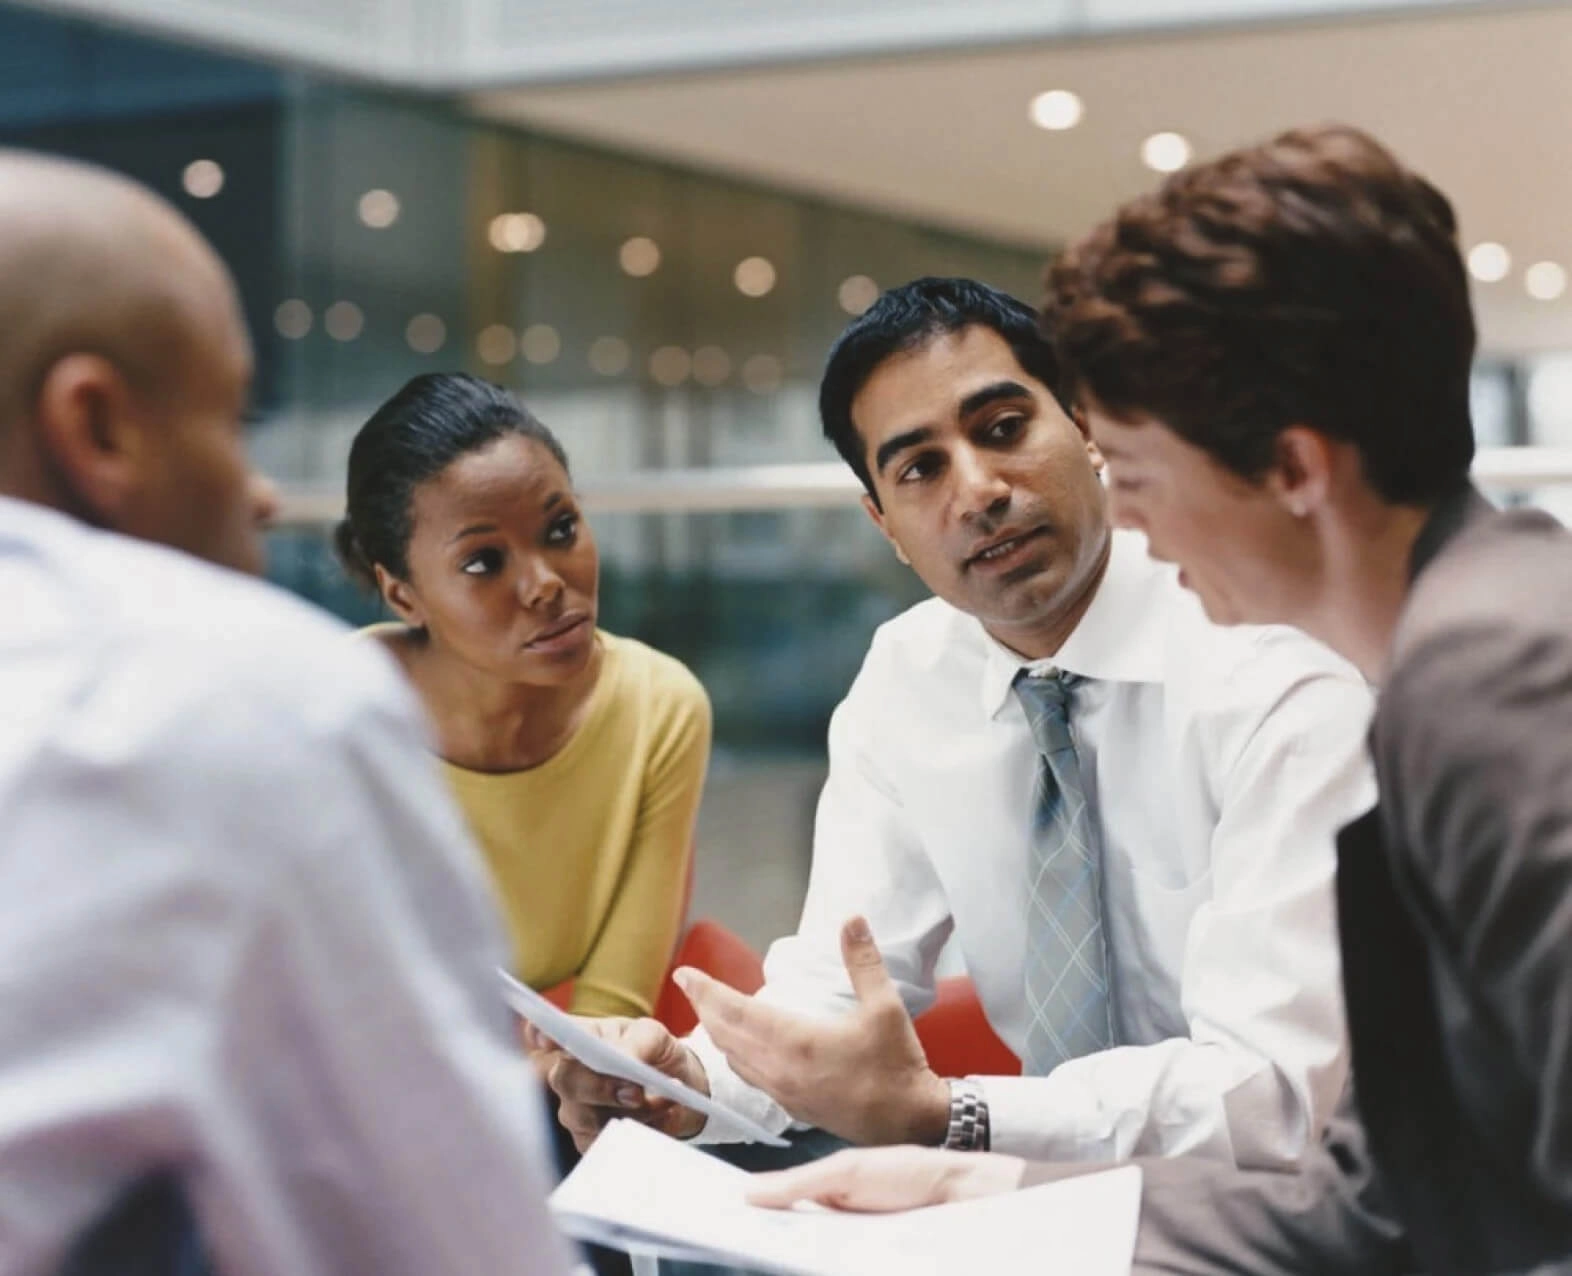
{"x":911,"y":317}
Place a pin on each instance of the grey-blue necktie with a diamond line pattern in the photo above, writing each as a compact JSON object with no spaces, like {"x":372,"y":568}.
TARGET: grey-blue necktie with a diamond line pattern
{"x":1067,"y":955}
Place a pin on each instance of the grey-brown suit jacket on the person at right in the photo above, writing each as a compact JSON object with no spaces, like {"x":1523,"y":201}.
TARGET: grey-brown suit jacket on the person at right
{"x":1455,"y":901}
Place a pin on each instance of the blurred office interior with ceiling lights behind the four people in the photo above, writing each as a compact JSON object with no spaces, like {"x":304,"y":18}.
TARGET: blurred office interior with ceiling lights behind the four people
{"x":652,"y":218}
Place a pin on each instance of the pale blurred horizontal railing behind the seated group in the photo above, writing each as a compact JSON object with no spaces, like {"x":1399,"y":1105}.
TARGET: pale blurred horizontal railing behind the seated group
{"x":820,"y":485}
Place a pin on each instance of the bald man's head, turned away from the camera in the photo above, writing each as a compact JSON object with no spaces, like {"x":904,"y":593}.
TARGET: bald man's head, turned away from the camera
{"x":125,"y":365}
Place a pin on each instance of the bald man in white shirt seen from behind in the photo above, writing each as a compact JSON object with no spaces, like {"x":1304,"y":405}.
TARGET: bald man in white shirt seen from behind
{"x":244,"y":944}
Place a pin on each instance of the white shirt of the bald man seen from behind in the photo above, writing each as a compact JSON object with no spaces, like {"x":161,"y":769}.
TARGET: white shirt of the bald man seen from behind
{"x":243,"y":934}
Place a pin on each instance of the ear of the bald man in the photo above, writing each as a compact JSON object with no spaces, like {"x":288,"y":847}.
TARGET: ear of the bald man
{"x":94,"y":436}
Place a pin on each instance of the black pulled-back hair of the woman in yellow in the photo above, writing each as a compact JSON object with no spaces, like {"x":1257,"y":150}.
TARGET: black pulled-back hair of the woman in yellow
{"x":428,"y":425}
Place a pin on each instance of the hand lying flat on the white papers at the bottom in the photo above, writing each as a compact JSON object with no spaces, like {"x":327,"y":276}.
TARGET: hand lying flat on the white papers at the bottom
{"x":886,"y":1179}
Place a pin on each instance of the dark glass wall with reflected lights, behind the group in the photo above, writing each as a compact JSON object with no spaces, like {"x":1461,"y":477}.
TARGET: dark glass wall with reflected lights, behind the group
{"x":656,"y":318}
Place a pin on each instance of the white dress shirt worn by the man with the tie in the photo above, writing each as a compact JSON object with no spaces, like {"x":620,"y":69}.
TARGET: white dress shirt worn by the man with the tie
{"x":1219,"y":764}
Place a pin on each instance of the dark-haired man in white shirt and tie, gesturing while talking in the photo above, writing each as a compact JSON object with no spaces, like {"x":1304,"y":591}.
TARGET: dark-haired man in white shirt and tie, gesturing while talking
{"x":1216,"y":766}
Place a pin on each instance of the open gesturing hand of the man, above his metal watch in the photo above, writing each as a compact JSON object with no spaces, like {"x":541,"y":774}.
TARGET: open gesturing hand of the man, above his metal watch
{"x":862,"y":1077}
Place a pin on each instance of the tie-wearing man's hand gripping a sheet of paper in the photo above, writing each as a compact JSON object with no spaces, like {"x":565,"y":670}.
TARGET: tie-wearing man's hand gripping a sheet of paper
{"x":590,"y":1101}
